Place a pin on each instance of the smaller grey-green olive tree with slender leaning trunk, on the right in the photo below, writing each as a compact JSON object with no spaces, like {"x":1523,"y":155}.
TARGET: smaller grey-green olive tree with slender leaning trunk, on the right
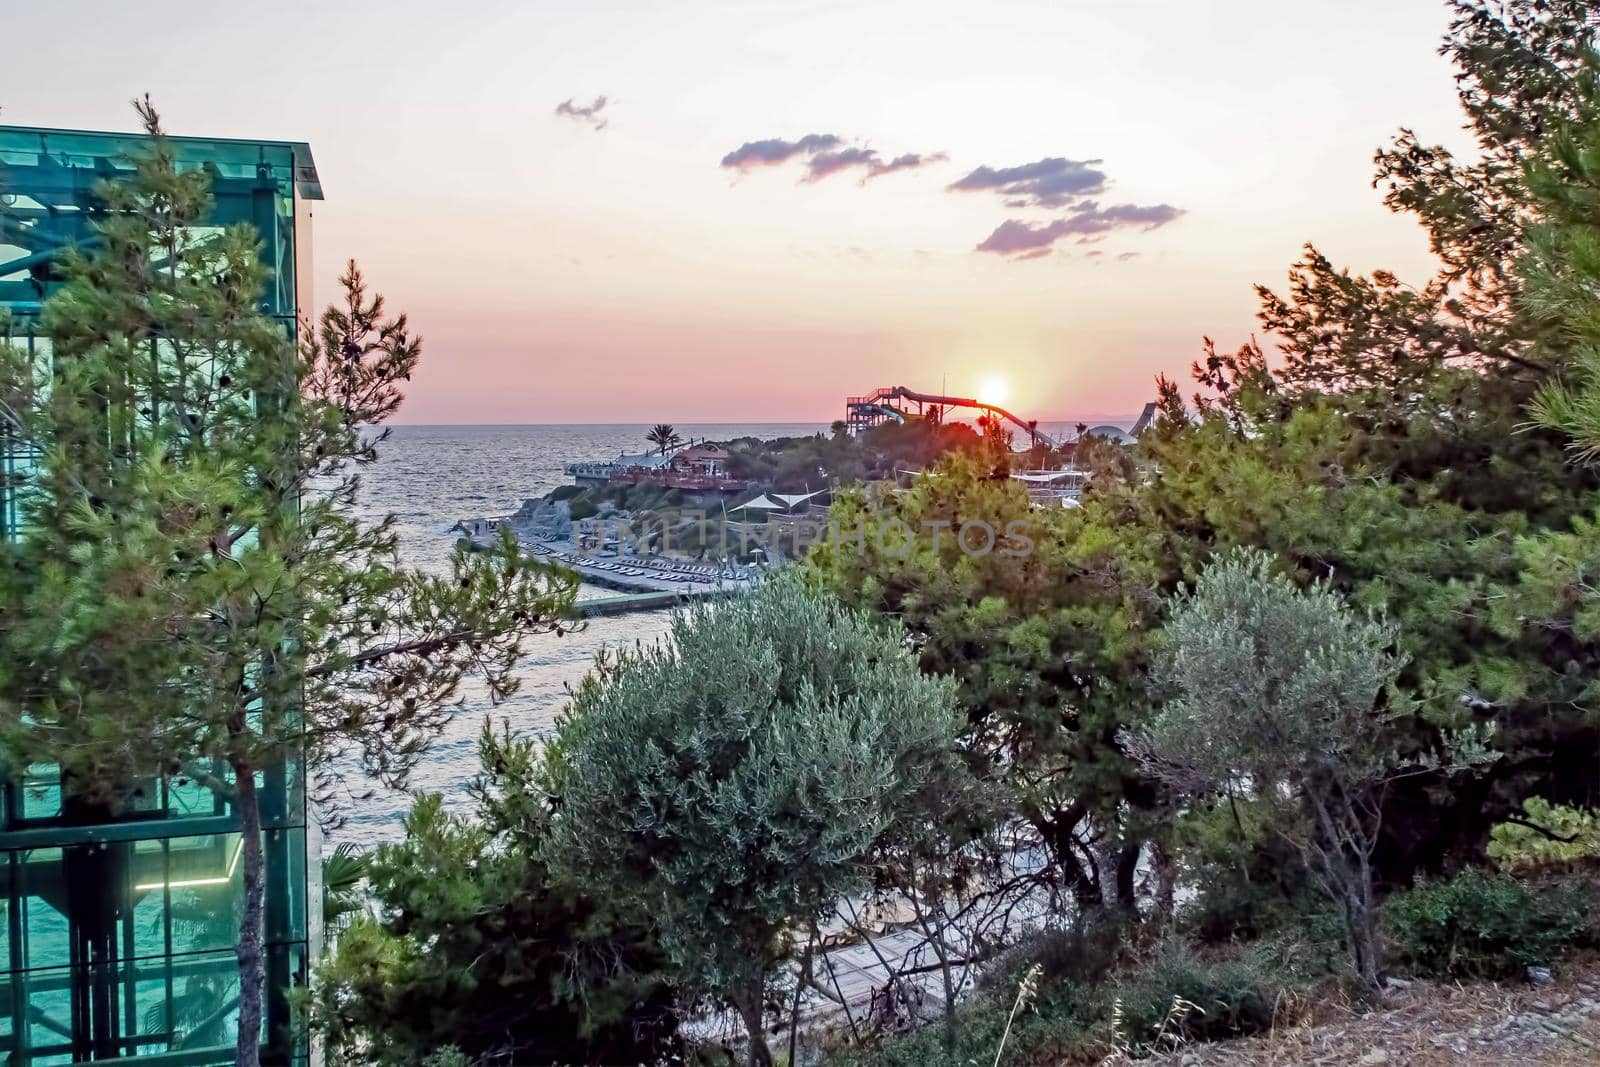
{"x":1276,"y":695}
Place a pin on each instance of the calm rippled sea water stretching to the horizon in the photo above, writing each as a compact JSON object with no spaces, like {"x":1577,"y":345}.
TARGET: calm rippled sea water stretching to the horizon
{"x":430,"y":478}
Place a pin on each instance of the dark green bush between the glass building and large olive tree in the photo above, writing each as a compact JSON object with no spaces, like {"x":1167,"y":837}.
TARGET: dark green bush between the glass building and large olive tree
{"x":479,"y":956}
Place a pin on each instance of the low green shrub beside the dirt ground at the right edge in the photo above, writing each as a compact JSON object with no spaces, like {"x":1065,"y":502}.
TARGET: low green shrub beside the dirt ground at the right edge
{"x":1484,"y":925}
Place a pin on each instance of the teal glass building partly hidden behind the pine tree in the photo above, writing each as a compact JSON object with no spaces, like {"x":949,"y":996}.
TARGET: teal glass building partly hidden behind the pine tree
{"x":118,"y":930}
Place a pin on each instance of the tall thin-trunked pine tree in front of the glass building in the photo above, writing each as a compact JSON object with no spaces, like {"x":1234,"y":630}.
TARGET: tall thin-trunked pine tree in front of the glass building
{"x":191,"y":585}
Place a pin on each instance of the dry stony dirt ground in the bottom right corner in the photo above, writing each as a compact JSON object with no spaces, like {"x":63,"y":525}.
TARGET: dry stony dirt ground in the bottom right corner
{"x":1426,"y":1025}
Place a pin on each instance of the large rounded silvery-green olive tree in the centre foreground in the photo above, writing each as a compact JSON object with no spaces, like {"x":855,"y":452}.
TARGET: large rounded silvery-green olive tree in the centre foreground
{"x":735,"y":781}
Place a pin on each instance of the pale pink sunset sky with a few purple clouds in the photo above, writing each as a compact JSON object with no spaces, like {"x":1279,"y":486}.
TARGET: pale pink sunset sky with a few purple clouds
{"x":703,"y":212}
